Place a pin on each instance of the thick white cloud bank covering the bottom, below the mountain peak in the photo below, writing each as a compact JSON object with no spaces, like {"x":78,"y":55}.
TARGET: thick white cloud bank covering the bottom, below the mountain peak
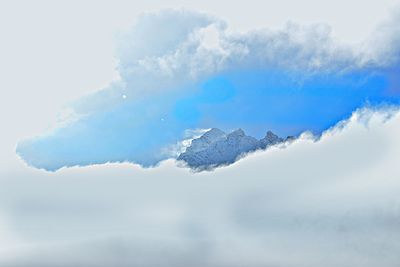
{"x":331,"y":202}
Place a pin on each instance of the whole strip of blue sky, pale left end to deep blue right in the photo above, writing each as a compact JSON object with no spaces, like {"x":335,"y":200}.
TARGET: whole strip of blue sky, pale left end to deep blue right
{"x":256,"y":101}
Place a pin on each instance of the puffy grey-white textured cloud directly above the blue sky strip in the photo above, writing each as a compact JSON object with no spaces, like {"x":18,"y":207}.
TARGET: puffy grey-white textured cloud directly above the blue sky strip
{"x":169,"y":49}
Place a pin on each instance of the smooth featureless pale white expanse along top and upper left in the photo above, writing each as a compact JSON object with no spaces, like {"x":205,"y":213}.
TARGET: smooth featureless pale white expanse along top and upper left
{"x":79,"y":51}
